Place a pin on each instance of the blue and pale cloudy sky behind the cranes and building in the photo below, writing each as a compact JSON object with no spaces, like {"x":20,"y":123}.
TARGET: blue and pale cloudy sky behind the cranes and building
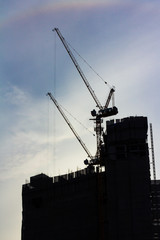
{"x":119,"y":39}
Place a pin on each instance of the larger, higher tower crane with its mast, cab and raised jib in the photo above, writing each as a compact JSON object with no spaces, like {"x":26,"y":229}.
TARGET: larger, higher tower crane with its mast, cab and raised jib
{"x":103,"y":111}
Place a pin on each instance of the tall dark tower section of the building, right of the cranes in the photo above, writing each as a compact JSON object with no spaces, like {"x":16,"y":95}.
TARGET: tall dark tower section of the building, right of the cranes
{"x":128,"y":180}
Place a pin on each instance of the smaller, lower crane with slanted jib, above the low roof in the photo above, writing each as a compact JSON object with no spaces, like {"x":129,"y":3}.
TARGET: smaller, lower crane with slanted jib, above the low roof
{"x":92,"y":159}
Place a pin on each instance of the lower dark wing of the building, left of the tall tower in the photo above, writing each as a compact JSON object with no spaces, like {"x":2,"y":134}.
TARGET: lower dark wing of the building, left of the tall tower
{"x":66,"y":209}
